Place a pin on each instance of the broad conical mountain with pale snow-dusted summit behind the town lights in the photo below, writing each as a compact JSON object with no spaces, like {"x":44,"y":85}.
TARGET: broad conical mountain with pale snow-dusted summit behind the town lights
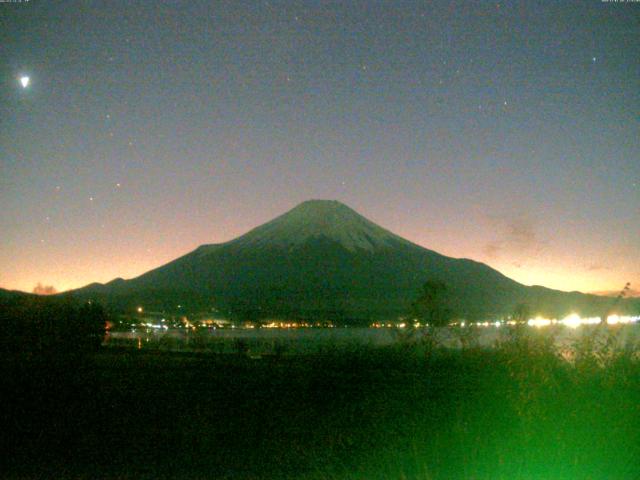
{"x":322,"y":260}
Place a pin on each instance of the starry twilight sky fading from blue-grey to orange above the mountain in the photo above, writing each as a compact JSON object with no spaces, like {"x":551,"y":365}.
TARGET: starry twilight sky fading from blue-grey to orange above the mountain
{"x":506,"y":132}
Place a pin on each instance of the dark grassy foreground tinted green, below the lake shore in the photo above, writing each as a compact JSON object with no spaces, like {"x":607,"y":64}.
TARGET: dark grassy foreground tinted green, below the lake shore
{"x":517,"y":412}
